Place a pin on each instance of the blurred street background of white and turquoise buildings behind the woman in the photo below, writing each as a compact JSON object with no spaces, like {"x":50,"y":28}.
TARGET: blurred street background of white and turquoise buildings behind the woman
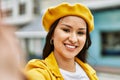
{"x":104,"y":54}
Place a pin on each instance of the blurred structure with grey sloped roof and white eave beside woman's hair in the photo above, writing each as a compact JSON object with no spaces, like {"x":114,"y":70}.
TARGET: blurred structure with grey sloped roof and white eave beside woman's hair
{"x":32,"y":38}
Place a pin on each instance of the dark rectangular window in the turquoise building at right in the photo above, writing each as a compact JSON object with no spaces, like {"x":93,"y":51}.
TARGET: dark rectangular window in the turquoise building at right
{"x":110,"y":43}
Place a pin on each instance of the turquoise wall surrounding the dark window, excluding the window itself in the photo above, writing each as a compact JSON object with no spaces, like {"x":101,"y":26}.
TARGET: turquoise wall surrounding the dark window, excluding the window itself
{"x":108,"y":21}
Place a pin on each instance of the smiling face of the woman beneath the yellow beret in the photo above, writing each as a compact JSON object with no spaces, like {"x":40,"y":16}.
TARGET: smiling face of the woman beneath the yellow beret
{"x":69,"y":36}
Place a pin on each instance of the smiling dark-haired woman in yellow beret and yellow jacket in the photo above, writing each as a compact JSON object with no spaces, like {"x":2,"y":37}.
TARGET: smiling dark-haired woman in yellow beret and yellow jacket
{"x":67,"y":42}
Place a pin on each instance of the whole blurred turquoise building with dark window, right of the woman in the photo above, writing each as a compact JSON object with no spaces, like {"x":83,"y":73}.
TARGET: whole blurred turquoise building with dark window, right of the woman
{"x":105,"y":50}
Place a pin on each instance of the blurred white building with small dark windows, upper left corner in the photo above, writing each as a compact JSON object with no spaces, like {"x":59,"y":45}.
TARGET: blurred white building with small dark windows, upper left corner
{"x":19,"y":12}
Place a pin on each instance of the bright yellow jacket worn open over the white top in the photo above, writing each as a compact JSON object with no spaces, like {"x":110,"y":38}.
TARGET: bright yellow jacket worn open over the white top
{"x":48,"y":69}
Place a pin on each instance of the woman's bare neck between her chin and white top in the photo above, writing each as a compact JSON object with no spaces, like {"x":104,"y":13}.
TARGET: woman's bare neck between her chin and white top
{"x":66,"y":64}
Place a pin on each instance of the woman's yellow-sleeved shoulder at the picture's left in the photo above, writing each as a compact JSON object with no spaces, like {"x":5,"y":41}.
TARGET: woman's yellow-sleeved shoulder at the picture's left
{"x":37,"y":69}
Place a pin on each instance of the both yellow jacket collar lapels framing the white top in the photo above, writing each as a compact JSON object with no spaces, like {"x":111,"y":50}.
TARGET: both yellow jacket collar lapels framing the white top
{"x":53,"y":66}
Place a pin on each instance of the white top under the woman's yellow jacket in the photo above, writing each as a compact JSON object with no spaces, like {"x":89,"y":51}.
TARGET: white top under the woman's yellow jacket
{"x":79,"y":74}
